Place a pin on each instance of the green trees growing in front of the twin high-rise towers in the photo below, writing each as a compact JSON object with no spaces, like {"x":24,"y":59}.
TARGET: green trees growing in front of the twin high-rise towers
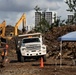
{"x":43,"y":25}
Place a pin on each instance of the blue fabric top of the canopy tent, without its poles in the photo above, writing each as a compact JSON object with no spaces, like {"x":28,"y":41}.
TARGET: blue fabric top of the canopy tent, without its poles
{"x":68,"y":37}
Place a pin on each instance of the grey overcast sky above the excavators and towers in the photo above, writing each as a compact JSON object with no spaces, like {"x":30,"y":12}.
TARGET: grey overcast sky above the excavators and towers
{"x":12,"y":10}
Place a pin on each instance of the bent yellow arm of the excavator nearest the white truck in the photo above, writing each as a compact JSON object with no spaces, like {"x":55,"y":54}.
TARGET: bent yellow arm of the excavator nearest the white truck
{"x":23,"y":20}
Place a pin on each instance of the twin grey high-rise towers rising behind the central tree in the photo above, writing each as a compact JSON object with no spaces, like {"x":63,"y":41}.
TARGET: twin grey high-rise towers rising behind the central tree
{"x":47,"y":15}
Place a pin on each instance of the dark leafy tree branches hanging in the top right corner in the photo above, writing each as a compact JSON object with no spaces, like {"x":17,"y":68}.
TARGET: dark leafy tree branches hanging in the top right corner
{"x":72,"y":8}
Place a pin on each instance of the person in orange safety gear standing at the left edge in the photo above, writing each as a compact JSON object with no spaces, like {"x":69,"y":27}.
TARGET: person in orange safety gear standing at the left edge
{"x":4,"y":55}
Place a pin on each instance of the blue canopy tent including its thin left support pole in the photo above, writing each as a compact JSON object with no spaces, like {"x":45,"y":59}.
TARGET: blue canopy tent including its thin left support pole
{"x":67,"y":37}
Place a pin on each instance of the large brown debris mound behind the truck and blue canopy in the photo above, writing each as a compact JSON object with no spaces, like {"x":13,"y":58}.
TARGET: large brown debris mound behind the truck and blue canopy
{"x":50,"y":39}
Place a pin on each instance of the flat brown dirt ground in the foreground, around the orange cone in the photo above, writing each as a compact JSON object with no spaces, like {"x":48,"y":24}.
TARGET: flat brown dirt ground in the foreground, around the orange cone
{"x":33,"y":67}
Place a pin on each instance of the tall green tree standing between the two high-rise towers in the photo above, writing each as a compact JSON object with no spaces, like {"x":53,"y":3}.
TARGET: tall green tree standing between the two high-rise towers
{"x":43,"y":25}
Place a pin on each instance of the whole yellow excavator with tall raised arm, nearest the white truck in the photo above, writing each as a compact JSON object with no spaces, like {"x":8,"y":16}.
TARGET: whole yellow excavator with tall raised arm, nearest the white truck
{"x":23,"y":20}
